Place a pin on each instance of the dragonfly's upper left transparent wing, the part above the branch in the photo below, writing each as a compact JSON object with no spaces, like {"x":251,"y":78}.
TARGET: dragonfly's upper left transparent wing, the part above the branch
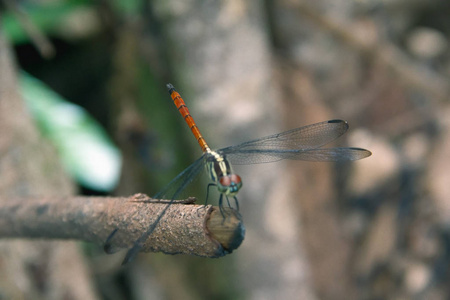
{"x":181,"y":181}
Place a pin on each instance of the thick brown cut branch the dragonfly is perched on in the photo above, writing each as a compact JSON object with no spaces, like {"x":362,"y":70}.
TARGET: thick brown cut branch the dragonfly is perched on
{"x":185,"y":229}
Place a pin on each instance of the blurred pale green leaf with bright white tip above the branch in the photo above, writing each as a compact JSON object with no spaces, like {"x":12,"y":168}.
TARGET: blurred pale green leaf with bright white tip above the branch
{"x":84,"y":147}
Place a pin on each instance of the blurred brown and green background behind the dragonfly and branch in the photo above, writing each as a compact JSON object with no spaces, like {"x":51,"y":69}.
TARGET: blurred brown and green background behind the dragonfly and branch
{"x":93,"y":76}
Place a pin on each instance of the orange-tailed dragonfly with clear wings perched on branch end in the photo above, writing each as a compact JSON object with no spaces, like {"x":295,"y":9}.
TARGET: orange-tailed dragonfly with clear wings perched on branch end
{"x":303,"y":143}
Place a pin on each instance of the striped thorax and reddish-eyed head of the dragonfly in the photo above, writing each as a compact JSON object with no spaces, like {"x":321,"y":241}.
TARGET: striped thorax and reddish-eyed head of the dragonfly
{"x":221,"y":173}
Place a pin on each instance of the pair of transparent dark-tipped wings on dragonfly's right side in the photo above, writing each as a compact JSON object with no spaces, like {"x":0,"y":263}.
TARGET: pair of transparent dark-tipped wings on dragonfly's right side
{"x":298,"y":144}
